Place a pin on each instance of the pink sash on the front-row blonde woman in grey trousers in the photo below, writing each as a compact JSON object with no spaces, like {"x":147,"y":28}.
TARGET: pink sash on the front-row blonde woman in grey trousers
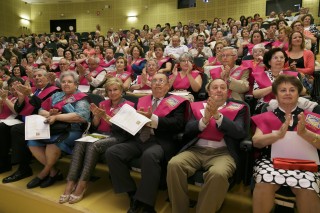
{"x":106,"y":105}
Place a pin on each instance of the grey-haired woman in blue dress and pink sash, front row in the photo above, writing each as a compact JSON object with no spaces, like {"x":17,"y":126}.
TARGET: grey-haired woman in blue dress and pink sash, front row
{"x":69,"y":106}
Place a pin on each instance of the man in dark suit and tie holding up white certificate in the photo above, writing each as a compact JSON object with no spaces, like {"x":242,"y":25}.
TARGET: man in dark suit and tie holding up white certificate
{"x":154,"y":143}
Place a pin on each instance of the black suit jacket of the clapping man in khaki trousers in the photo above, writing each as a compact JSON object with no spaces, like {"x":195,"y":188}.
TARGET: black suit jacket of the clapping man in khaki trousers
{"x":234,"y":132}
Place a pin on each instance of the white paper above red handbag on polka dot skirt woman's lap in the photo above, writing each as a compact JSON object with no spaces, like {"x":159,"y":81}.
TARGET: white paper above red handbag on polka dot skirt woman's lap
{"x":295,"y":147}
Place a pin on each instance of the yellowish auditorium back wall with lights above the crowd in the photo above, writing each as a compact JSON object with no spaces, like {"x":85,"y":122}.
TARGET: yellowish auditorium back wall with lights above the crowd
{"x":114,"y":13}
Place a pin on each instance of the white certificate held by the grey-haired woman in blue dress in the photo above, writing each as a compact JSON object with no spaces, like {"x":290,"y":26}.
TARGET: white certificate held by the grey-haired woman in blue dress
{"x":35,"y":128}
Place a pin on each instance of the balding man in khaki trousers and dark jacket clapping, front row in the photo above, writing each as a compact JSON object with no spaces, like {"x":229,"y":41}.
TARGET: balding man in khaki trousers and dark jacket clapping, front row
{"x":214,"y":137}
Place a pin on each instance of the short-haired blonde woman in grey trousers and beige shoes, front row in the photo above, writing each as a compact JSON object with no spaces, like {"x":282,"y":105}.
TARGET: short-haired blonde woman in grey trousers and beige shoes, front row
{"x":85,"y":155}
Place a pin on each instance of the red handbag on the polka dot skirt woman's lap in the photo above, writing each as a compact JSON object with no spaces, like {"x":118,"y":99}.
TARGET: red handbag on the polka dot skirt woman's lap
{"x":293,"y":164}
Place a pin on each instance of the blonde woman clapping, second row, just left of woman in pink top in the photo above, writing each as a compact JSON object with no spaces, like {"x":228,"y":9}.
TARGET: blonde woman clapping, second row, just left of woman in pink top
{"x":143,"y":81}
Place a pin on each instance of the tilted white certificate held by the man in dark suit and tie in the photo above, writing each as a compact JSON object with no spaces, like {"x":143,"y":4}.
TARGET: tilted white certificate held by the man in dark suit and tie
{"x":128,"y":119}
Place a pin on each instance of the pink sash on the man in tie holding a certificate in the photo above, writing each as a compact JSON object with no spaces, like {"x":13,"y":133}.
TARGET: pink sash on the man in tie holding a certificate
{"x":167,"y":105}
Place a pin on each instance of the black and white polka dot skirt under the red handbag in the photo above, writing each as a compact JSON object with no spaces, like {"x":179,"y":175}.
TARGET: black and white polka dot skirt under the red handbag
{"x":263,"y":172}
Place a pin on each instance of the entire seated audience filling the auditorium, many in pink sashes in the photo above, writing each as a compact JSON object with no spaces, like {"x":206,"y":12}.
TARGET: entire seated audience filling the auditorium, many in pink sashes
{"x":190,"y":79}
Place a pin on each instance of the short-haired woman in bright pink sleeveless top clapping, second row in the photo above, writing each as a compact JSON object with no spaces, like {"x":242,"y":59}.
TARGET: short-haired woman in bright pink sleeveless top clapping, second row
{"x":187,"y":78}
